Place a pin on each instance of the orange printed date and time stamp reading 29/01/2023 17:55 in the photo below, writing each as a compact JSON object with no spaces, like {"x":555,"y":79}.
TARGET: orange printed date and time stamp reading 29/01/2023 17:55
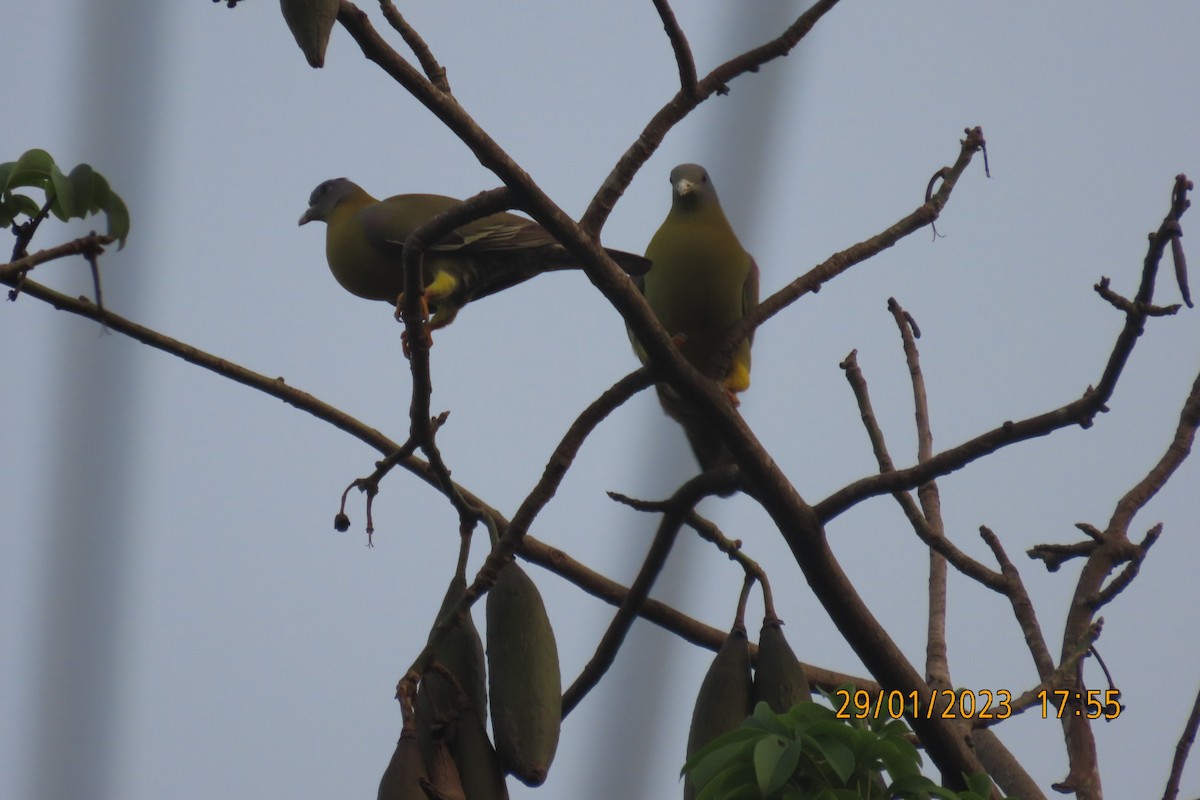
{"x":968,"y":705}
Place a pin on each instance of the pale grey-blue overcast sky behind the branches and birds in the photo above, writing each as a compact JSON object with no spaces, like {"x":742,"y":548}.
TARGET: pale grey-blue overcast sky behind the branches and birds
{"x":178,"y":618}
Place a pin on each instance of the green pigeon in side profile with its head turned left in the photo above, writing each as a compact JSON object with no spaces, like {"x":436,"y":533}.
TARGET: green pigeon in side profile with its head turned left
{"x":365,"y":240}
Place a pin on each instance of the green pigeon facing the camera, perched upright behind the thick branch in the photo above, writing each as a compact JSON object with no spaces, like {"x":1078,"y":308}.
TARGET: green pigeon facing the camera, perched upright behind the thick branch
{"x":701,"y":285}
